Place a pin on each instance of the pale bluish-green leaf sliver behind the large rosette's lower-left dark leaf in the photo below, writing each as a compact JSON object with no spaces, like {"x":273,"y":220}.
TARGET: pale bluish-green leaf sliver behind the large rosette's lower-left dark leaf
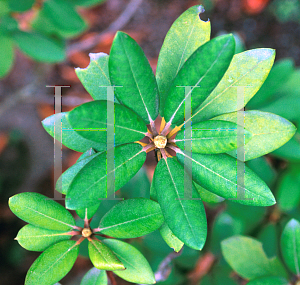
{"x":64,"y":181}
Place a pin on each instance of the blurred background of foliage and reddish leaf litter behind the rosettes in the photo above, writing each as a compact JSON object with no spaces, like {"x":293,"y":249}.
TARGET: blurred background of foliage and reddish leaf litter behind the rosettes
{"x":41,"y":42}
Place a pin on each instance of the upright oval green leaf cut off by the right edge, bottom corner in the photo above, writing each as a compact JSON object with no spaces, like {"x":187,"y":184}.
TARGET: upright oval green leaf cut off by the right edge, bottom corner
{"x":290,"y":245}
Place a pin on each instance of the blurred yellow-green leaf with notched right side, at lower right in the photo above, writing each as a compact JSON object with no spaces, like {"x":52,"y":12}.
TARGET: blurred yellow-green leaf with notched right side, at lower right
{"x":246,"y":256}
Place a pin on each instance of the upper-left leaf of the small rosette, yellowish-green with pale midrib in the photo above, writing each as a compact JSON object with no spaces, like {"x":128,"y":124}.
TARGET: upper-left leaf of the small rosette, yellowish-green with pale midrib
{"x":40,"y":211}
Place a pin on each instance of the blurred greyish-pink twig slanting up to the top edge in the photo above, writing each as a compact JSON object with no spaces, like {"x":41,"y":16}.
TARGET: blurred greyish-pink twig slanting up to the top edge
{"x":120,"y":22}
